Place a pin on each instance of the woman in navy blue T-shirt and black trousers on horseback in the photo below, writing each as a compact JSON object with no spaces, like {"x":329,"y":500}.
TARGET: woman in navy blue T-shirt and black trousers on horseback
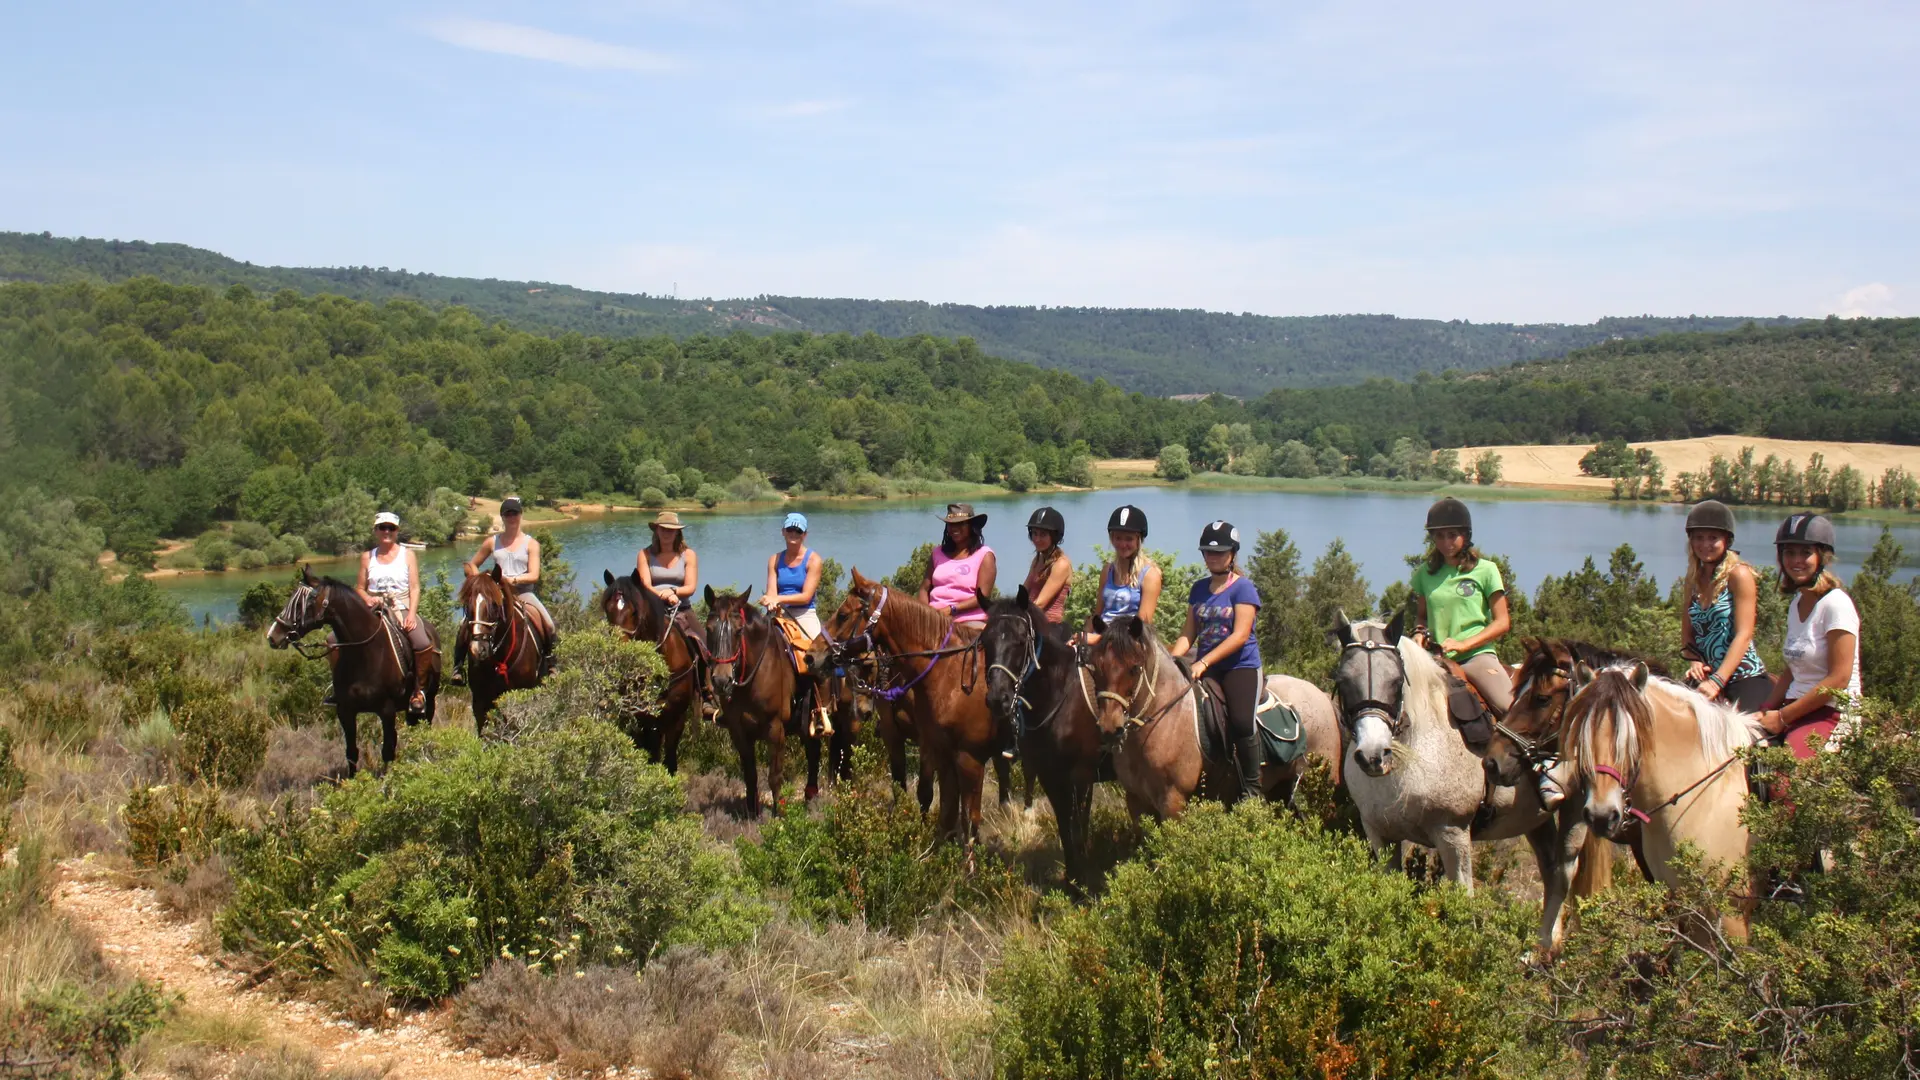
{"x":1220,"y":637}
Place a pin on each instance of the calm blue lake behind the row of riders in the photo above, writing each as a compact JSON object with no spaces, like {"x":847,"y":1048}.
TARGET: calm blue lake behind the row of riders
{"x":1380,"y":529}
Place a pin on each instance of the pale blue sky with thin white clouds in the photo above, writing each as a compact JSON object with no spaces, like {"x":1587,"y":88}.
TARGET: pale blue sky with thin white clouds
{"x":1495,"y":162}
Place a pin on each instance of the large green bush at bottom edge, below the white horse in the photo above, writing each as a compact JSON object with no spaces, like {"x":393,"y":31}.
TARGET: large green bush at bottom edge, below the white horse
{"x":1247,"y":945}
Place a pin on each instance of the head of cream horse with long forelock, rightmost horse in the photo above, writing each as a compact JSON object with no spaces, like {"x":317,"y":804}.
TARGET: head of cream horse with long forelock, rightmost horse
{"x":1608,"y":729}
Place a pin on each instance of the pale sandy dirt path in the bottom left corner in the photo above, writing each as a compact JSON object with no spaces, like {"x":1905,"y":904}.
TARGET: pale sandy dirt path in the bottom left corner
{"x":139,"y":937}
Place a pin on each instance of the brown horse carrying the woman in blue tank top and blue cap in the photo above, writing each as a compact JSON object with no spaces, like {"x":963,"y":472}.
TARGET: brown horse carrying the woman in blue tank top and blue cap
{"x":756,"y":685}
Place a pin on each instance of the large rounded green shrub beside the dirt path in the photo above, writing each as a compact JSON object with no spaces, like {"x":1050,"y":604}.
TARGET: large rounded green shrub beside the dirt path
{"x":560,"y":850}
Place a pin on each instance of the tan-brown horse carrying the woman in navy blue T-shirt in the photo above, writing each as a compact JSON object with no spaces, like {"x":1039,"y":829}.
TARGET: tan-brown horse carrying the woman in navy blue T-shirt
{"x":1145,"y":706}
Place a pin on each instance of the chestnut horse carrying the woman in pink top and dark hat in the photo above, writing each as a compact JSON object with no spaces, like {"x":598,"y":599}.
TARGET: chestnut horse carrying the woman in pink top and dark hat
{"x":932,"y":664}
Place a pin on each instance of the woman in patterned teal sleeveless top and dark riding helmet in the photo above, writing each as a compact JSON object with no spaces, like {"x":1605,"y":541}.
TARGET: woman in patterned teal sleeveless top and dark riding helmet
{"x":1723,"y":604}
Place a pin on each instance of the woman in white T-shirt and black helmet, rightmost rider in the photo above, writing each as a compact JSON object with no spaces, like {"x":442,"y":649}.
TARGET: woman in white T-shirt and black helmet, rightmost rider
{"x":1823,"y":645}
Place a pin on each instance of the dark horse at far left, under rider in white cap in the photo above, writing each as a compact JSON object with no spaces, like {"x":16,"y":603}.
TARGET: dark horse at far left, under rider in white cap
{"x":366,"y":658}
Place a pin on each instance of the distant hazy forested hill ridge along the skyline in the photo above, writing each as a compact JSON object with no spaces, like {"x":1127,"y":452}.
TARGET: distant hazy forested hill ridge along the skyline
{"x":1155,"y":351}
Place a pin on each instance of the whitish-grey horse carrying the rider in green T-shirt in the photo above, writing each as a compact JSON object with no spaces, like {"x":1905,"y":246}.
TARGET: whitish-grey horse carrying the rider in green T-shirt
{"x":1418,"y":781}
